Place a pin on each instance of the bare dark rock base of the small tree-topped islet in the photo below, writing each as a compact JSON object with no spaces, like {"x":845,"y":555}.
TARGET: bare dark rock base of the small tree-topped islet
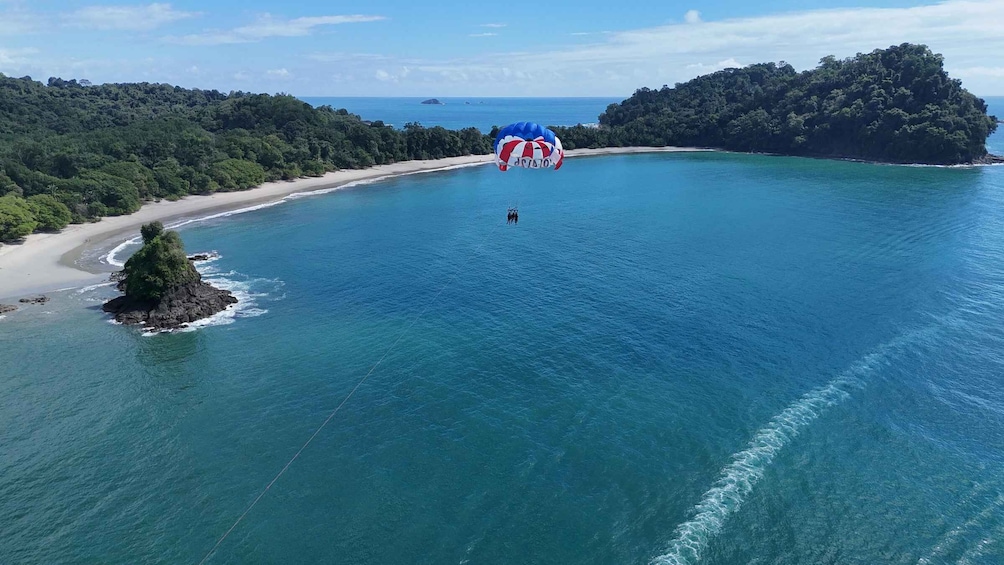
{"x":179,"y":308}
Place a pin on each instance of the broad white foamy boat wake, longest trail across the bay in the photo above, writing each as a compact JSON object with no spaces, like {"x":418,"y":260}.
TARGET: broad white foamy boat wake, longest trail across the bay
{"x":747,"y":468}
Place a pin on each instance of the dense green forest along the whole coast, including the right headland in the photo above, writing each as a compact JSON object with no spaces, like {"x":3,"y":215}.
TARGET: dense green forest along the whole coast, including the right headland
{"x":72,"y":152}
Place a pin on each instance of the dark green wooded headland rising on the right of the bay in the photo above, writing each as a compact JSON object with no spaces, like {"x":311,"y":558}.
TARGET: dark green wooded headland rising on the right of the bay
{"x":895,"y":106}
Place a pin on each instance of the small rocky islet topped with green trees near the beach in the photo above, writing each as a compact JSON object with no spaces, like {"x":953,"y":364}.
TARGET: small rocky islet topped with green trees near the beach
{"x":163,"y":291}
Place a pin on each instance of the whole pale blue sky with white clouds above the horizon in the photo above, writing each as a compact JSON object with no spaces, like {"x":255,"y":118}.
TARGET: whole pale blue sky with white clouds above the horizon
{"x":454,"y":49}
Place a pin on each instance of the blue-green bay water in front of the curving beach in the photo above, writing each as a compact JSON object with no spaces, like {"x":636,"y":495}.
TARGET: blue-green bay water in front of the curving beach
{"x":673,"y":359}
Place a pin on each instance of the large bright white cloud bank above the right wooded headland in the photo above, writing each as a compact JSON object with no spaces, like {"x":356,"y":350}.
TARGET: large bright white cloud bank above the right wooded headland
{"x":967,"y":33}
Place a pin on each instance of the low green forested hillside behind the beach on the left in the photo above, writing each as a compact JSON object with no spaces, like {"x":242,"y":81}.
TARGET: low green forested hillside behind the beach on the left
{"x":71,"y":152}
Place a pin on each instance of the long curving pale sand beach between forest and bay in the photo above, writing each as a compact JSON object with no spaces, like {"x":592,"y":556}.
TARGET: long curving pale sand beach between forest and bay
{"x":51,"y":262}
